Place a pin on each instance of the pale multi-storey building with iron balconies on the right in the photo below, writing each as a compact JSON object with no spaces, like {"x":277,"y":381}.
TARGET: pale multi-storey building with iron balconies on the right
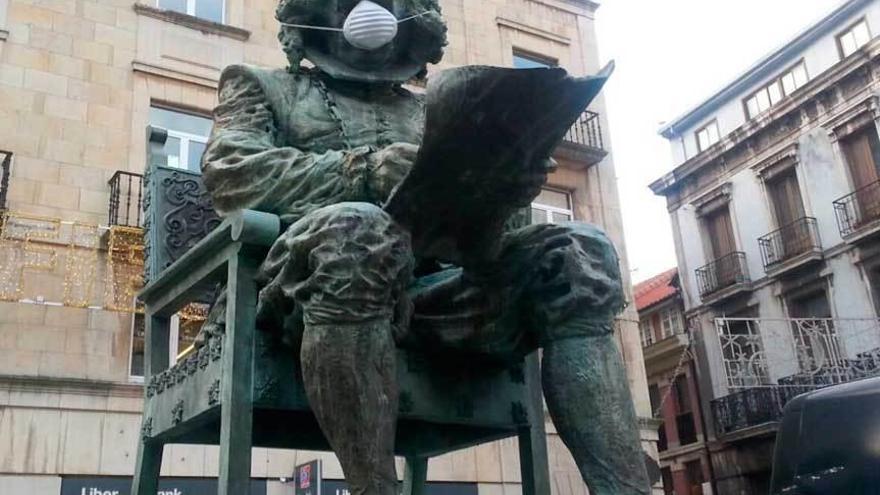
{"x":775,"y":219}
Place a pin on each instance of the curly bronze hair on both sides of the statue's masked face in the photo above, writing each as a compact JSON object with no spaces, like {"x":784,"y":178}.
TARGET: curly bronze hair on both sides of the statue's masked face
{"x":314,"y":12}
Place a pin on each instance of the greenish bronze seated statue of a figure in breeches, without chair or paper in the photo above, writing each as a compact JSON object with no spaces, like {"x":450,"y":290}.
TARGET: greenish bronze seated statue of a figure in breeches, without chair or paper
{"x":345,"y":283}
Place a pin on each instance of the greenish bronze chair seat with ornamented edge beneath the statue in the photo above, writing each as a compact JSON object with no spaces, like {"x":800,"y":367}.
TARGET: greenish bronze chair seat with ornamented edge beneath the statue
{"x":445,"y":404}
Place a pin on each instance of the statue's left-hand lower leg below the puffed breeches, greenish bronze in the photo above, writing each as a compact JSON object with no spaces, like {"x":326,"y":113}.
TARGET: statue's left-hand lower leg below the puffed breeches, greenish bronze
{"x":351,"y":382}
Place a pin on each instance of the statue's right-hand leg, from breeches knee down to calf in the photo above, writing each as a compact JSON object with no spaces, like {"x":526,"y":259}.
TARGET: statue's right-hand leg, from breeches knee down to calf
{"x":568,"y":278}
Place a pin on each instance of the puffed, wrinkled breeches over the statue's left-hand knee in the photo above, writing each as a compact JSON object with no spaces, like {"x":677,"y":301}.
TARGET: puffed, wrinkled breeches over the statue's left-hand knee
{"x":343,"y":264}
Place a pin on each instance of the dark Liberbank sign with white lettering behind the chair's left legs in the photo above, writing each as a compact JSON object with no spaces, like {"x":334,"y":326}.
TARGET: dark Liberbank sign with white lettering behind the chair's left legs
{"x":86,"y":485}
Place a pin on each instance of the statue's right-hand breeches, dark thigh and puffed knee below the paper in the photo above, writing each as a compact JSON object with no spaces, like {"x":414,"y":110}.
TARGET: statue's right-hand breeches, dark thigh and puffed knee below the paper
{"x":551,"y":282}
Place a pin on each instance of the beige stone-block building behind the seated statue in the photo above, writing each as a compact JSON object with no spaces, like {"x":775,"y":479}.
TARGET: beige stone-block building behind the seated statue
{"x":79,"y":82}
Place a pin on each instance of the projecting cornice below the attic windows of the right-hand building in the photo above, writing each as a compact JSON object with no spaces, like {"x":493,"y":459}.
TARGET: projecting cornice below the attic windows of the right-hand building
{"x":782,"y":115}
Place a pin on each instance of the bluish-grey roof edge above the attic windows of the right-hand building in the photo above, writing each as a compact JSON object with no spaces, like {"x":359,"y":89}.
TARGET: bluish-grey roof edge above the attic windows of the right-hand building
{"x":765,"y":67}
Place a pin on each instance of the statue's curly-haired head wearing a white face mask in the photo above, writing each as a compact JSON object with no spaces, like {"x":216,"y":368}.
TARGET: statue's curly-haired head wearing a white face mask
{"x":383,"y":40}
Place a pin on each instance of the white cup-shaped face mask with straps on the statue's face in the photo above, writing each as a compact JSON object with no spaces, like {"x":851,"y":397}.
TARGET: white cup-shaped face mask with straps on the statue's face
{"x":369,"y":26}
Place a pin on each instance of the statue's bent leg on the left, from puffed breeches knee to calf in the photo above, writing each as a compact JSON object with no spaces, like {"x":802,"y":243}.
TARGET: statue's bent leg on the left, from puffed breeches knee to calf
{"x":346,"y":267}
